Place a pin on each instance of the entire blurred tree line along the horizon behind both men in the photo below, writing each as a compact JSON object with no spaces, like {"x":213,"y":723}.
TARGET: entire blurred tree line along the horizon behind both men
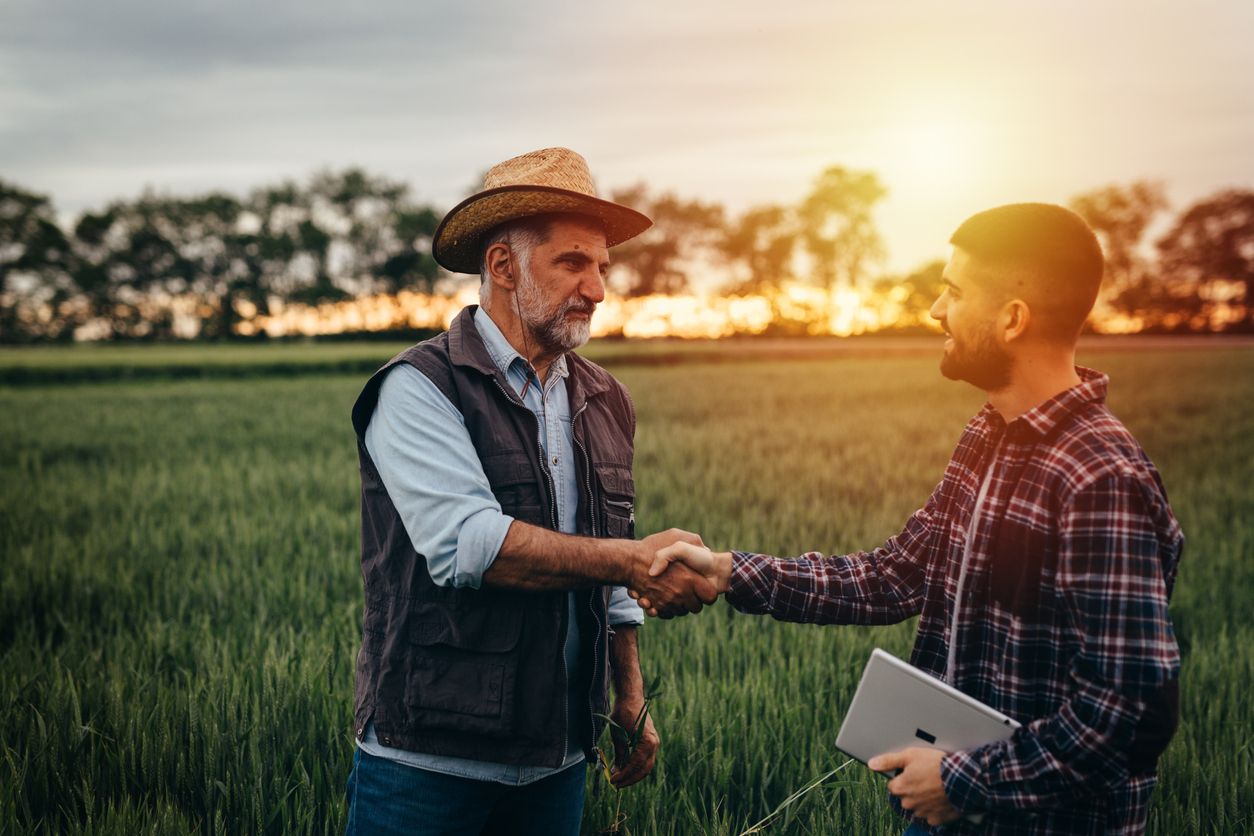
{"x":164,"y":268}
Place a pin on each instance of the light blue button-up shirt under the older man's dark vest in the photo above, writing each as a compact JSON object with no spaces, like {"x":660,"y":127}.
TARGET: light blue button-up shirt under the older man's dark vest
{"x":428,"y":463}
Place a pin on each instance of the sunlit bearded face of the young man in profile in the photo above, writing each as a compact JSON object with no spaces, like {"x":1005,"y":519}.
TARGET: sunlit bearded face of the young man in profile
{"x":969,"y":311}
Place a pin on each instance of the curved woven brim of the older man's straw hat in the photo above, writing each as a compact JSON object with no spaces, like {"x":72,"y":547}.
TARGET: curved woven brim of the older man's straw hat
{"x":457,"y":241}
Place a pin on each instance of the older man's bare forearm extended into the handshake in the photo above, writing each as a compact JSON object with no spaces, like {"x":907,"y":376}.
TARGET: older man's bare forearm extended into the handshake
{"x":537,"y":560}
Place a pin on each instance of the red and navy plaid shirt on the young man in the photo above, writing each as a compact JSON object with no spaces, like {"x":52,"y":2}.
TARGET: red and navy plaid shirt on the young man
{"x":1064,"y":616}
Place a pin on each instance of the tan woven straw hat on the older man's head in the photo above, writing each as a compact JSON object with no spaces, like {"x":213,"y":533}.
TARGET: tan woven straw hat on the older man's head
{"x":555,"y":180}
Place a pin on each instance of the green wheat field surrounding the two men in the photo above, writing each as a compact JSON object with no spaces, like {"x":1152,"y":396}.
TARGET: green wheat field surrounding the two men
{"x":181,"y":597}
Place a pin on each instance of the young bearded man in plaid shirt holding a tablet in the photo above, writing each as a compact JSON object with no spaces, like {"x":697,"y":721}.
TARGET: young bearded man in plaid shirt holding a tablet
{"x":1041,"y":567}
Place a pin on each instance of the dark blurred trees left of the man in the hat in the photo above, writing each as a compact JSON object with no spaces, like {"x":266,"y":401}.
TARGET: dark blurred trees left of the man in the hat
{"x":160,"y":266}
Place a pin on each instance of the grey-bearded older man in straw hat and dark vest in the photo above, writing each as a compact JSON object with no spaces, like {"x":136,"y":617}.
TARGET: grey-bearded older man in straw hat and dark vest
{"x":497,"y":528}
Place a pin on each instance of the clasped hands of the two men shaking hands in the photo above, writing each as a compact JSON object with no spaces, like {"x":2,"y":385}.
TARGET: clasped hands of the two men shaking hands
{"x":675,"y":575}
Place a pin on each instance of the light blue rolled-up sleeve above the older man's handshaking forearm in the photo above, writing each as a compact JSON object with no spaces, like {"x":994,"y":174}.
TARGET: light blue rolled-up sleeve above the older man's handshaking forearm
{"x":419,"y":444}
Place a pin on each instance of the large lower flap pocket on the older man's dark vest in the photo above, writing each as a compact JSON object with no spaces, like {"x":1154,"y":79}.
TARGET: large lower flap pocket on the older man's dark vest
{"x":463,"y":670}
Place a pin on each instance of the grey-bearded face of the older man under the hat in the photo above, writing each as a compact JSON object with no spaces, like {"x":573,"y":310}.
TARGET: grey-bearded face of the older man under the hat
{"x":561,"y":285}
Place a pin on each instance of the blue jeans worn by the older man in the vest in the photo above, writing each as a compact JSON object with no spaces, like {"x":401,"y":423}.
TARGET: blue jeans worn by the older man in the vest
{"x":389,"y":799}
